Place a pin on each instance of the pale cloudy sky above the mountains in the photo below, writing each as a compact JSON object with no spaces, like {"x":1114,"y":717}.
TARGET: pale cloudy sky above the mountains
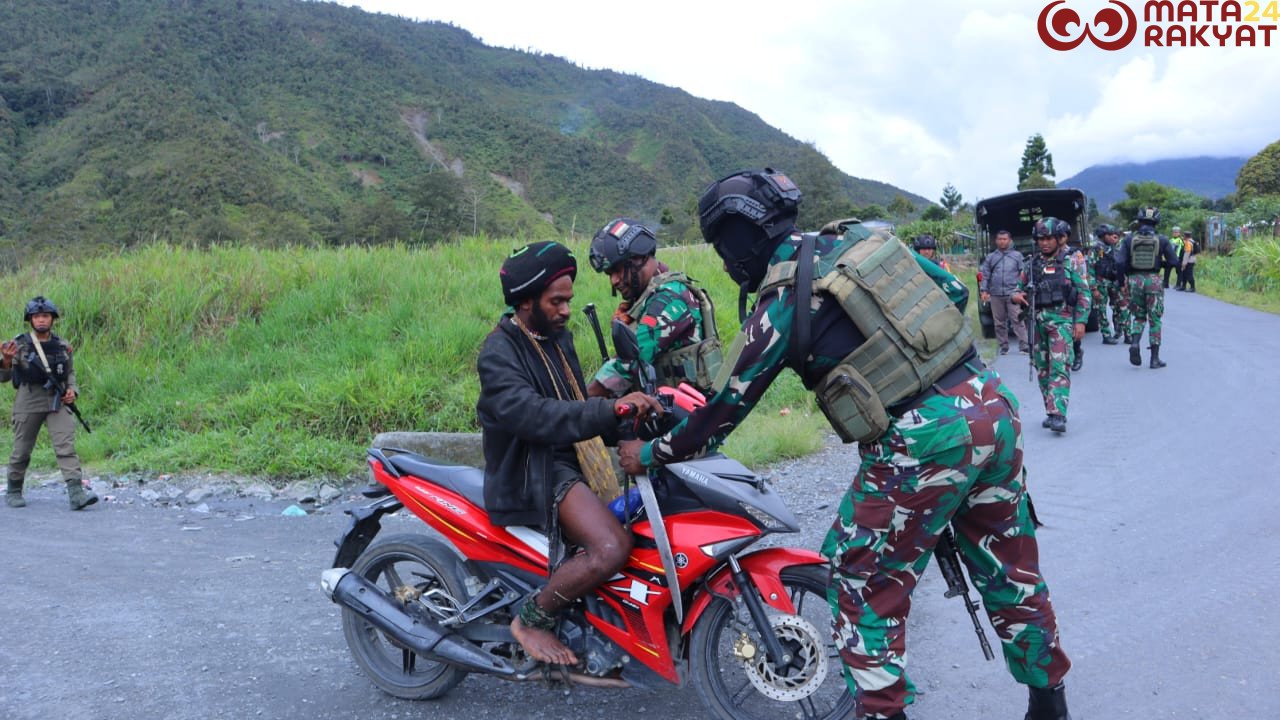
{"x":913,"y":94}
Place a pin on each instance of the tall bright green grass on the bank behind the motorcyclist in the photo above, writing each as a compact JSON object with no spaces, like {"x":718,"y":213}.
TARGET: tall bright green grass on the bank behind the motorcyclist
{"x":286,"y":363}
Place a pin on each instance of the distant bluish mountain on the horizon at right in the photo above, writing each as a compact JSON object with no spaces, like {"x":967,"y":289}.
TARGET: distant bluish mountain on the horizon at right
{"x":1208,"y":177}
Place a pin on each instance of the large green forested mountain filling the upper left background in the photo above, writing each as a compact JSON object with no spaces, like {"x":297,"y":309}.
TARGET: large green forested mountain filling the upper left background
{"x":285,"y":122}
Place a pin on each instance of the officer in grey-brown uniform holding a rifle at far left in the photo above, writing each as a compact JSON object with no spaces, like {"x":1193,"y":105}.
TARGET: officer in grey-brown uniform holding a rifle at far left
{"x":38,"y":363}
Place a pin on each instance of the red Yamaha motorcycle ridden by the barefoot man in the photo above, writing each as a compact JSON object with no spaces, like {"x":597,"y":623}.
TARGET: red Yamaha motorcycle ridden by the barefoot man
{"x":419,"y":616}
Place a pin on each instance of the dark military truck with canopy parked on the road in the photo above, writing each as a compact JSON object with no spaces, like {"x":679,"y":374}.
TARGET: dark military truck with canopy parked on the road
{"x":1018,"y":213}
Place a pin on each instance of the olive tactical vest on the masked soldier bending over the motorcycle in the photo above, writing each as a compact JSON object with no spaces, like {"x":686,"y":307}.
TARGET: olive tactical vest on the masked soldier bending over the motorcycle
{"x":915,"y":334}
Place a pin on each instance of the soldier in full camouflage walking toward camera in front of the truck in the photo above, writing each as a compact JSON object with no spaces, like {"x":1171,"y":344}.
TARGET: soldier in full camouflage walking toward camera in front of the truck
{"x":1060,"y":302}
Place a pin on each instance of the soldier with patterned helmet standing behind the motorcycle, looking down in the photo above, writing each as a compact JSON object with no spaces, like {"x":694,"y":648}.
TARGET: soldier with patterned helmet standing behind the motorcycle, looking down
{"x":674,"y":320}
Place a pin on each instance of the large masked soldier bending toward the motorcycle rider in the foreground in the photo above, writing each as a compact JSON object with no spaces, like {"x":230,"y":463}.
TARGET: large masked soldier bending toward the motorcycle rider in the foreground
{"x":949,"y":453}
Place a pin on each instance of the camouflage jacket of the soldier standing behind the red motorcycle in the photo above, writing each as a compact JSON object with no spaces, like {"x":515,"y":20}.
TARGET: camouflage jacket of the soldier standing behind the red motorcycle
{"x":671,"y":320}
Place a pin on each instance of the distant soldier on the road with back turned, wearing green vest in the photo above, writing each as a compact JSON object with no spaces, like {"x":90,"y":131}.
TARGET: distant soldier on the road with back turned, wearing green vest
{"x":1141,"y":257}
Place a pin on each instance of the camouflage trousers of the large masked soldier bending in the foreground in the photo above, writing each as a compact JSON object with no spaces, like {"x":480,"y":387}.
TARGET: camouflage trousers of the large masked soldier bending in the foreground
{"x":956,"y":459}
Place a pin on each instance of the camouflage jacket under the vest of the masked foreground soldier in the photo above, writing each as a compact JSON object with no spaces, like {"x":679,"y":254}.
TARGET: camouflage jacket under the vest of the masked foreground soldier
{"x":762,"y":349}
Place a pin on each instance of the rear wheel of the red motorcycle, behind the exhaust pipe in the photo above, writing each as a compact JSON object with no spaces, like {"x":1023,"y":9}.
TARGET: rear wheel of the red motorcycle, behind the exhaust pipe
{"x":410,"y":566}
